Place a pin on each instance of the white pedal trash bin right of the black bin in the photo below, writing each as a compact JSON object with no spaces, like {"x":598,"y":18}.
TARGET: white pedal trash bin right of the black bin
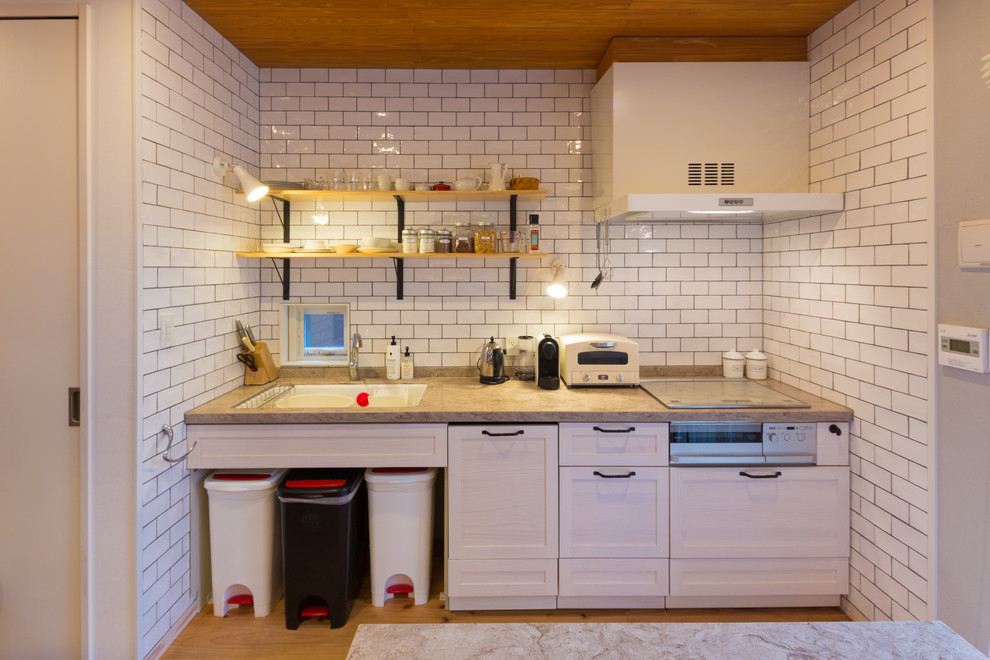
{"x":400,"y":515}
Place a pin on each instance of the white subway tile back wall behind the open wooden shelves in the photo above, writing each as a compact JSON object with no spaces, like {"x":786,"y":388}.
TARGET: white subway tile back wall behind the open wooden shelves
{"x":686,"y":293}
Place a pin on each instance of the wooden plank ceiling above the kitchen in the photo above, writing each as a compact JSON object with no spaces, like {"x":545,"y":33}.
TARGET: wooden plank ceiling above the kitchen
{"x":511,"y":34}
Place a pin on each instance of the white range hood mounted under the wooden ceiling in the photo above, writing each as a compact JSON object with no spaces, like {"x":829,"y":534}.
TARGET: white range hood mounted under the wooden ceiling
{"x":704,"y":142}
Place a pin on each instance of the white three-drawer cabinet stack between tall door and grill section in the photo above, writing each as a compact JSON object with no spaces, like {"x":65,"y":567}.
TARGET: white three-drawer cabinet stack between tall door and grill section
{"x":614,"y":515}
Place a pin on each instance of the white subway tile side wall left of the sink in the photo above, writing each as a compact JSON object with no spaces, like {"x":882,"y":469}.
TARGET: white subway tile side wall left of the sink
{"x":199,"y":98}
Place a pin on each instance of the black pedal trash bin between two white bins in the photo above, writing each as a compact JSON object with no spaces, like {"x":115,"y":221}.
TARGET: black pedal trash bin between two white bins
{"x":324,"y":542}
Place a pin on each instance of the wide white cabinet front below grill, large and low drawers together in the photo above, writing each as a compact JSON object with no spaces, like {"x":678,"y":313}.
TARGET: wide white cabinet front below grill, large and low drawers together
{"x":779,"y":536}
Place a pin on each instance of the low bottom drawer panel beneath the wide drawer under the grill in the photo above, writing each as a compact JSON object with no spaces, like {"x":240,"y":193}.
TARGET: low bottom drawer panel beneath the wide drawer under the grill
{"x":759,"y":577}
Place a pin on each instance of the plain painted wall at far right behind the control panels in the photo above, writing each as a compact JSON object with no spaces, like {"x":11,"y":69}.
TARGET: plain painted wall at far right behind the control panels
{"x":962,"y":135}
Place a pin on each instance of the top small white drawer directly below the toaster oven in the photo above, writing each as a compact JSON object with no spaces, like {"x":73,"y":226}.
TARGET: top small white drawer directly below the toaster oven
{"x":613,"y":443}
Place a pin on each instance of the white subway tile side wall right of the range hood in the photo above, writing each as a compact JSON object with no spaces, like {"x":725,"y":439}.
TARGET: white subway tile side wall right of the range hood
{"x":847,"y":295}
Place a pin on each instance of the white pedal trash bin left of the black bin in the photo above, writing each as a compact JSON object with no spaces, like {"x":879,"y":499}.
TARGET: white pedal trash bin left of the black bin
{"x":245,"y":539}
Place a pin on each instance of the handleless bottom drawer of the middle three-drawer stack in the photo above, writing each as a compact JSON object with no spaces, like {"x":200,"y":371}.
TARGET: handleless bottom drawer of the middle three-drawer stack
{"x":613,"y":577}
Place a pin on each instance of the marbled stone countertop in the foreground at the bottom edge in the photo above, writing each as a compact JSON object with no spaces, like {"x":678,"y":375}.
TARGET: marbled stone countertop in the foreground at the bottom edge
{"x":852,"y":640}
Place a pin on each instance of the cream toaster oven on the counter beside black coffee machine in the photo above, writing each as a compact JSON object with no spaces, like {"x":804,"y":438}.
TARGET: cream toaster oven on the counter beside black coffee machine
{"x":596,"y":359}
